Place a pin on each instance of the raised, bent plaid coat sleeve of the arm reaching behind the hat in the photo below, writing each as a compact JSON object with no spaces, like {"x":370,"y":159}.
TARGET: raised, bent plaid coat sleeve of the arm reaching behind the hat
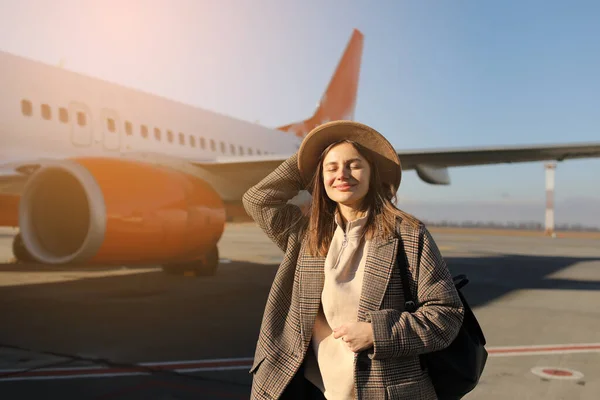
{"x":267,"y":202}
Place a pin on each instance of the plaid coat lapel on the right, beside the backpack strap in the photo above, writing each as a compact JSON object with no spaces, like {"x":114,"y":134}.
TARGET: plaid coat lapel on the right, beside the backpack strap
{"x":378,"y":270}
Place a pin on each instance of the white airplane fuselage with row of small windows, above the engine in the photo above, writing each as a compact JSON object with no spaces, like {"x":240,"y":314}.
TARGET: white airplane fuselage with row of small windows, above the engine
{"x":47,"y":112}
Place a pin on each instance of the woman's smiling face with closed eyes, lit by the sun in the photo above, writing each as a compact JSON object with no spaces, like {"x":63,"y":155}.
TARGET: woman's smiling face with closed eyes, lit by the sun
{"x":346,"y":175}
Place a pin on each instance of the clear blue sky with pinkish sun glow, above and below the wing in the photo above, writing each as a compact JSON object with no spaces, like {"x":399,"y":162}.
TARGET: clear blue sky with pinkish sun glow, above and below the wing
{"x":434,"y":74}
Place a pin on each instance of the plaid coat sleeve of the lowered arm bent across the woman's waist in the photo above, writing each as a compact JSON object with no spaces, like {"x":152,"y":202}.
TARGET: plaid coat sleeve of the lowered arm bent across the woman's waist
{"x":436,"y":322}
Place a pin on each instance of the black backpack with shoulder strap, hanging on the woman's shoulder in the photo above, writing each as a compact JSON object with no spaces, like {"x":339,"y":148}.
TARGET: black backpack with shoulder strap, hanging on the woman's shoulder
{"x":455,"y":370}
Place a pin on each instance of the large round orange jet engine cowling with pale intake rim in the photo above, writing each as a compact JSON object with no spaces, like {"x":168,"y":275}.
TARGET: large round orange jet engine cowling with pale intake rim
{"x":108,"y":211}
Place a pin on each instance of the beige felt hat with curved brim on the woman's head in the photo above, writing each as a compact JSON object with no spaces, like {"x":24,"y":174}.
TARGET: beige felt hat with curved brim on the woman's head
{"x":317,"y":140}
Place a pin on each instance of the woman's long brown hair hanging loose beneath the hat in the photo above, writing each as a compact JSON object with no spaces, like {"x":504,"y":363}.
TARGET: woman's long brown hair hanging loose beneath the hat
{"x":382,"y":213}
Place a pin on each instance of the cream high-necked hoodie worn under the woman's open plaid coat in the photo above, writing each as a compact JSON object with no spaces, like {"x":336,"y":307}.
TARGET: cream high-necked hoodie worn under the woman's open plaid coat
{"x":330,"y":366}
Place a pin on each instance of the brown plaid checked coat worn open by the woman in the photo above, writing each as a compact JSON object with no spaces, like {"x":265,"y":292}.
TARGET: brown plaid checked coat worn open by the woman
{"x":391,"y":368}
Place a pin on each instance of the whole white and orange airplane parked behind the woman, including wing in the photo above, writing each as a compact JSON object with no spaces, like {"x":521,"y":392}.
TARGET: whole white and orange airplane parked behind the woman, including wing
{"x":92,"y":172}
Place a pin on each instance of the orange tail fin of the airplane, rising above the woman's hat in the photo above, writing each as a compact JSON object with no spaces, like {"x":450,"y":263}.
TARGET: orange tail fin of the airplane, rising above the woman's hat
{"x":339,"y":99}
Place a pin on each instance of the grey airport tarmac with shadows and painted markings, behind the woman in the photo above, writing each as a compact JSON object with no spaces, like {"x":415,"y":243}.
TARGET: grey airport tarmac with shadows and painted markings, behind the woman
{"x":136,"y":333}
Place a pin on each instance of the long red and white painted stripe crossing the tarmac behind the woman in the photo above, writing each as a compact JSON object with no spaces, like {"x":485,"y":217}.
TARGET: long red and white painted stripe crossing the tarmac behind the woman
{"x":229,"y":364}
